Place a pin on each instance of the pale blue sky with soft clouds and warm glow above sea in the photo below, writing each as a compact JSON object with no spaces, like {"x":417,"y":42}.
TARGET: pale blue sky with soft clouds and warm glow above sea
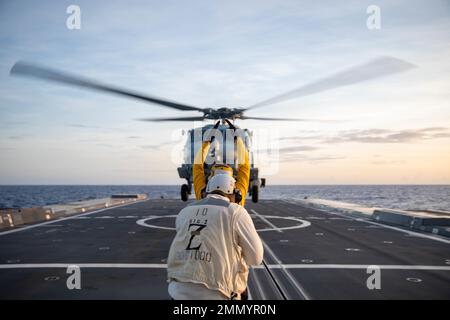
{"x":392,"y":130}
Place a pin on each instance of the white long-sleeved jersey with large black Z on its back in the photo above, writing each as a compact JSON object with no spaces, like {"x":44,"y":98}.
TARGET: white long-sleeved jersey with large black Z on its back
{"x":215,"y":243}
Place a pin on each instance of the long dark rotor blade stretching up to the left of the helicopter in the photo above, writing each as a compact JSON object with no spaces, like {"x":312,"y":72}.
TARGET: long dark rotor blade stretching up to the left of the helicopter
{"x":30,"y":70}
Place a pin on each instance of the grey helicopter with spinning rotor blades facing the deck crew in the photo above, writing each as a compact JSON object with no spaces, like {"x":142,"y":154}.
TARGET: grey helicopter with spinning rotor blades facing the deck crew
{"x":224,"y":117}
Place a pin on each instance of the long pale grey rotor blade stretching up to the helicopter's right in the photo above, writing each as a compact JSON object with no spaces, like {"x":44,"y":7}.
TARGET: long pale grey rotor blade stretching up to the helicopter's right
{"x":382,"y":66}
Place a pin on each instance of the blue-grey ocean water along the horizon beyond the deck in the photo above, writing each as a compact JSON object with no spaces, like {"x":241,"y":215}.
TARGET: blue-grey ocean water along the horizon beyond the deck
{"x":405,"y":197}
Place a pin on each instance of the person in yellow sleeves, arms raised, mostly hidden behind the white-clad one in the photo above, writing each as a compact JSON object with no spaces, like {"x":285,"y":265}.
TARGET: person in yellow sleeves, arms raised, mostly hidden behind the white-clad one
{"x":242,"y":174}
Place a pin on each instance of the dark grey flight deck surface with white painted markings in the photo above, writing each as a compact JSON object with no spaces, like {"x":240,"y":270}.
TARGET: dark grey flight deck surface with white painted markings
{"x":309,"y":254}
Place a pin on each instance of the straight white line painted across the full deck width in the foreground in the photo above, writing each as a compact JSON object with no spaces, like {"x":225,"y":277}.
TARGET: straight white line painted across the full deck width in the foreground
{"x":271,"y":266}
